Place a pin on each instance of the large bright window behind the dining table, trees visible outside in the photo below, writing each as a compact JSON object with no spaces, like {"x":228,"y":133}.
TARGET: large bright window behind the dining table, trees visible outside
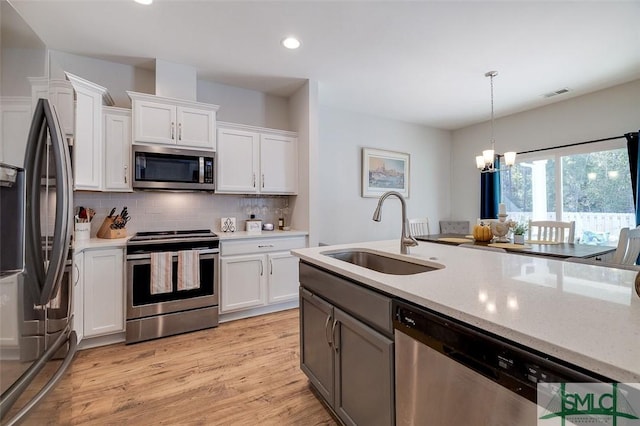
{"x":589,"y":184}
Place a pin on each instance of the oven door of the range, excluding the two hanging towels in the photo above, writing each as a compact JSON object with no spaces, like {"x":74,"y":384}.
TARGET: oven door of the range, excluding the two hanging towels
{"x":142,"y":303}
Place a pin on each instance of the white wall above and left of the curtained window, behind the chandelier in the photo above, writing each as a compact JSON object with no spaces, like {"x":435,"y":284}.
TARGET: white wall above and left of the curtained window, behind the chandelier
{"x":601,"y":114}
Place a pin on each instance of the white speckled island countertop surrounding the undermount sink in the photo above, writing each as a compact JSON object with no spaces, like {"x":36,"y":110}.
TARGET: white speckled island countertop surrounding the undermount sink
{"x":583,"y":314}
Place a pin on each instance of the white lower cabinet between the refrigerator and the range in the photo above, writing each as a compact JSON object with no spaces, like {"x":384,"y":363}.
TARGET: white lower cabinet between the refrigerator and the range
{"x":100,"y":286}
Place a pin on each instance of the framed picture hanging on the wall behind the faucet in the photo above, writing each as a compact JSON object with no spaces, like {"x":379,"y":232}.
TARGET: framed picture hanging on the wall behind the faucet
{"x":384,"y":171}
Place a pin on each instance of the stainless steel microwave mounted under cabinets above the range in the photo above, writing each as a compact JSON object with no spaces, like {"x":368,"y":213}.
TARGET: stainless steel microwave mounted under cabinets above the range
{"x":161,"y":167}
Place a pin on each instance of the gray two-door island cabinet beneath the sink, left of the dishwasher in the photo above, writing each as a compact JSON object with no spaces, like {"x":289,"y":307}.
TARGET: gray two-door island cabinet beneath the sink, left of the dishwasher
{"x":348,"y":359}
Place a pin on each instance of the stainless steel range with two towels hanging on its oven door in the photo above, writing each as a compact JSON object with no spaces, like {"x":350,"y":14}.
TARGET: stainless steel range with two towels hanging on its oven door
{"x":172,"y":283}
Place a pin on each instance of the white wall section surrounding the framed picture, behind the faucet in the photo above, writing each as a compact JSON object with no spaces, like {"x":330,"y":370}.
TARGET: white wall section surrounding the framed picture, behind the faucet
{"x":344,"y":216}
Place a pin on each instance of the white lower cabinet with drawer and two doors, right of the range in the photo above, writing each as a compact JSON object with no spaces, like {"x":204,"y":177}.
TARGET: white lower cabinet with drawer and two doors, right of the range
{"x":258,"y":272}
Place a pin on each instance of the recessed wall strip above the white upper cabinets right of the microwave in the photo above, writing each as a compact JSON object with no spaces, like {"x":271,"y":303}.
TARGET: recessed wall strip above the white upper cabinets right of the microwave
{"x":246,"y":106}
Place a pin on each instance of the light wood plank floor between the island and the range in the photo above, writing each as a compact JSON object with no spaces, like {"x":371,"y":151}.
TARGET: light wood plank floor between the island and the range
{"x":244,"y":372}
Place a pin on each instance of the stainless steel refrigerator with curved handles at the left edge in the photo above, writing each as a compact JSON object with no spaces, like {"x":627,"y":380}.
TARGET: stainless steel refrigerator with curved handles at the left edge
{"x":36,"y":221}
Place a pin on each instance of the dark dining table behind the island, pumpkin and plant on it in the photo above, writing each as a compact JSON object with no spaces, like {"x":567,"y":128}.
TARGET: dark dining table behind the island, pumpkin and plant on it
{"x":560,"y":250}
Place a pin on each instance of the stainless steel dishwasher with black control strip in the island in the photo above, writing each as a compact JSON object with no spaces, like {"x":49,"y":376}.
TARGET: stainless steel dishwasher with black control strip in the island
{"x":450,"y":373}
